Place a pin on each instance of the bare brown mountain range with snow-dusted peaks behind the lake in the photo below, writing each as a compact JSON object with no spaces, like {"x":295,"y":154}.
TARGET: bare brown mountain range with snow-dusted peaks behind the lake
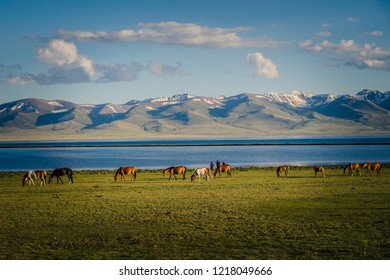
{"x":243,"y":115}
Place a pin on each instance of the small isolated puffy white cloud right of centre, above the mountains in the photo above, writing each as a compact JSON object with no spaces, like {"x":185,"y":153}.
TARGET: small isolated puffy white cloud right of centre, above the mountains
{"x":262,"y":66}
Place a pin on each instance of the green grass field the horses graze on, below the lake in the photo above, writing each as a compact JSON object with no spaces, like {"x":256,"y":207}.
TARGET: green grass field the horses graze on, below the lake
{"x":253,"y":215}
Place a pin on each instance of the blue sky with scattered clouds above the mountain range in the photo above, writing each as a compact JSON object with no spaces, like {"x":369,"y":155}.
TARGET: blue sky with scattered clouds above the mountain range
{"x":115,"y":51}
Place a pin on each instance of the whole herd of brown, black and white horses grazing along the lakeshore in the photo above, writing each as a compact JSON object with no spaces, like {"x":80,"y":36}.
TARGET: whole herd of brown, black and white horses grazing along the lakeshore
{"x":31,"y":175}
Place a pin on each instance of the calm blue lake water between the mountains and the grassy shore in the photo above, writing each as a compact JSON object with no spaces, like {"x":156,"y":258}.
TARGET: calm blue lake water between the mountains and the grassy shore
{"x":191,"y":153}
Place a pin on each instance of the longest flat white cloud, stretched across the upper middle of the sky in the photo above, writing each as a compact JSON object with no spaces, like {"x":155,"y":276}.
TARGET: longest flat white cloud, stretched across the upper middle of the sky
{"x":175,"y":33}
